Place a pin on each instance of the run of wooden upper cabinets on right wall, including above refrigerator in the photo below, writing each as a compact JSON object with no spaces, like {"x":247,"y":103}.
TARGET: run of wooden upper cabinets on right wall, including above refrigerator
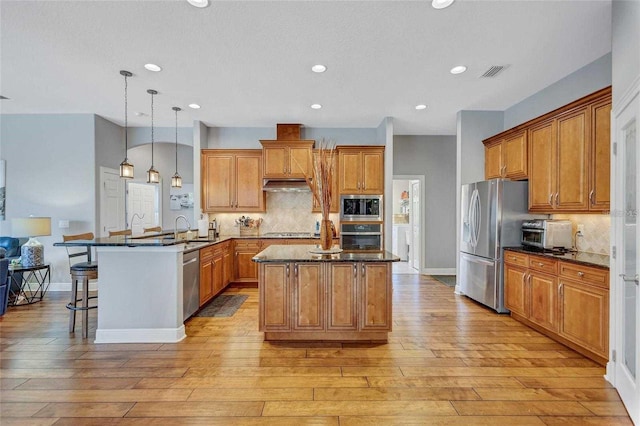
{"x":565,"y":154}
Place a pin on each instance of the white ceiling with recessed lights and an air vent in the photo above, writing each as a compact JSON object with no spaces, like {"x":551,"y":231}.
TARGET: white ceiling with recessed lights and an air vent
{"x":248,"y":62}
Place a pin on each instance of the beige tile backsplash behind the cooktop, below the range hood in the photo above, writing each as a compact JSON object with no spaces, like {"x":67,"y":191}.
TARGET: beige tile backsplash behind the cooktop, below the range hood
{"x":286,"y":212}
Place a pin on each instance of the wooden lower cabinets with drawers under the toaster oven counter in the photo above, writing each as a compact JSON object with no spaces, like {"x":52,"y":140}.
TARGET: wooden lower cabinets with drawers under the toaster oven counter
{"x":568,"y":302}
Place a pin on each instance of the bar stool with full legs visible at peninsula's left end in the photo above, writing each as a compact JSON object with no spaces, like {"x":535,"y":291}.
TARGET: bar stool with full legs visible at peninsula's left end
{"x":81,"y":271}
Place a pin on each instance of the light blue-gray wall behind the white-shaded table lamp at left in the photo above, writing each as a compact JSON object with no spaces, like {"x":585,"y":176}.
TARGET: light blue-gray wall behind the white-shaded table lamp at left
{"x":50,"y":172}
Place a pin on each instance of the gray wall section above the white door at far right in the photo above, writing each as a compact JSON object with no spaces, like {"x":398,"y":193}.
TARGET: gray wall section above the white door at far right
{"x":625,"y":45}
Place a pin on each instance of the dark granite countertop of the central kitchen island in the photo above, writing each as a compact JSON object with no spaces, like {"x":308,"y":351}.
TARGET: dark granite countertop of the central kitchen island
{"x":301,"y":253}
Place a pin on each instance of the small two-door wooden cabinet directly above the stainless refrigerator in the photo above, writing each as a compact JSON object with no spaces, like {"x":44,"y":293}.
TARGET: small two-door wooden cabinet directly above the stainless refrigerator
{"x":506,"y":156}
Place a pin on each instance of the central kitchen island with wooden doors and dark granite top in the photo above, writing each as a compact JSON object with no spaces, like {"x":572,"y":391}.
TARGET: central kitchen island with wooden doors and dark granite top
{"x":319,"y":297}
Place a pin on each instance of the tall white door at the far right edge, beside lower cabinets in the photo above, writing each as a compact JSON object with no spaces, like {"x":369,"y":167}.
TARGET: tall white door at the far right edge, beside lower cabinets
{"x":625,"y":333}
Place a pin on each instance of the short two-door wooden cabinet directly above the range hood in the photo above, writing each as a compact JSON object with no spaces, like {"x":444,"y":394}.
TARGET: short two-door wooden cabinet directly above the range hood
{"x":287,"y":159}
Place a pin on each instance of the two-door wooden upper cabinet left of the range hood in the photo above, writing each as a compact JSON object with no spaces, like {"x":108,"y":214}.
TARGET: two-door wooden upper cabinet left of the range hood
{"x":232,"y":181}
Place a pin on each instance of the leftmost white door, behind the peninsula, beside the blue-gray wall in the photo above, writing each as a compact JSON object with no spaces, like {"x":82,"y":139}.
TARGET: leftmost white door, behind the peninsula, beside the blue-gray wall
{"x":112,"y":211}
